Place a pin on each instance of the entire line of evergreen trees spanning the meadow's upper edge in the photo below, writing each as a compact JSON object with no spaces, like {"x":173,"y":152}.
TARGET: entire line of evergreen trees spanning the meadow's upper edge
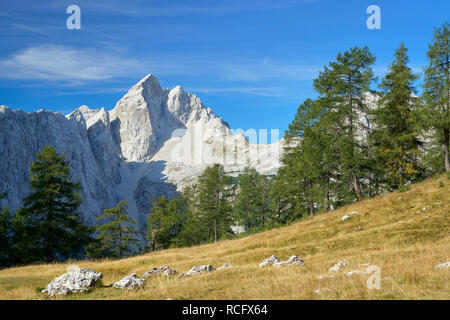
{"x":341,"y":147}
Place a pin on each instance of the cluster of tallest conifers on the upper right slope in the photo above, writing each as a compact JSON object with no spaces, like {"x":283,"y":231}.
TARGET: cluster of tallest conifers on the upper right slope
{"x":352,"y":147}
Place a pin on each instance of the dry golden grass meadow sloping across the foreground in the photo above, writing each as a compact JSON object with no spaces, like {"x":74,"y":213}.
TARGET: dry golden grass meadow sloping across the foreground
{"x":397,"y":235}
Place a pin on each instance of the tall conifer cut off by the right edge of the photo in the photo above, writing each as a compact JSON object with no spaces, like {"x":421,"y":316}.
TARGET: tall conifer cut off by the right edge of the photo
{"x":436,"y":91}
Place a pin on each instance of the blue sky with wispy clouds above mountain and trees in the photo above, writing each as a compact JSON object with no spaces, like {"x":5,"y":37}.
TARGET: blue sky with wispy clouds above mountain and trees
{"x":252,"y":62}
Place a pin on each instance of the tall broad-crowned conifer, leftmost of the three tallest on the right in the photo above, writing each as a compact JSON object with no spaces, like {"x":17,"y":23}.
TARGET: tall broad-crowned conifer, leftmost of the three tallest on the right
{"x":342,"y":86}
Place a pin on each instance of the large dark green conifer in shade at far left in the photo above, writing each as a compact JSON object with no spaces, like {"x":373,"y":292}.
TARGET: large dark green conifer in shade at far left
{"x":48,"y":226}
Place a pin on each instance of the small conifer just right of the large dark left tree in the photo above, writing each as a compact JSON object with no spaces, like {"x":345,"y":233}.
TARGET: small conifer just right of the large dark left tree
{"x":117,"y":237}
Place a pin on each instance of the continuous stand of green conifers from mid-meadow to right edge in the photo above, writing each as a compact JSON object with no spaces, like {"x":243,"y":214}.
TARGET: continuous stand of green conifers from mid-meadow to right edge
{"x":341,"y":147}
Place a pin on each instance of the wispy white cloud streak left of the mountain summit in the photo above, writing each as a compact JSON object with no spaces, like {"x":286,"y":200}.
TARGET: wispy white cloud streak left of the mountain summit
{"x":62,"y":63}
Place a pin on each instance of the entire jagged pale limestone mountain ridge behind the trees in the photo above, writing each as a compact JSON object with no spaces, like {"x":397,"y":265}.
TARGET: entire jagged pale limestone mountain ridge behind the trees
{"x":152,"y":142}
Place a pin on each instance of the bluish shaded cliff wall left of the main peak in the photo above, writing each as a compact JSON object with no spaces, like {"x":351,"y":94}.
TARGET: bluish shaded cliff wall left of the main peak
{"x":22,"y":136}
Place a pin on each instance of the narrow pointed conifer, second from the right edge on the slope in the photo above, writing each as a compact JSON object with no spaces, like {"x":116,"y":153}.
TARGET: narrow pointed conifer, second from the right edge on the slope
{"x":395,"y":132}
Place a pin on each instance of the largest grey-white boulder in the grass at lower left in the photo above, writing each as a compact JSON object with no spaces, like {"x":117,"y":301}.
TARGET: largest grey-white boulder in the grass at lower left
{"x":73,"y":281}
